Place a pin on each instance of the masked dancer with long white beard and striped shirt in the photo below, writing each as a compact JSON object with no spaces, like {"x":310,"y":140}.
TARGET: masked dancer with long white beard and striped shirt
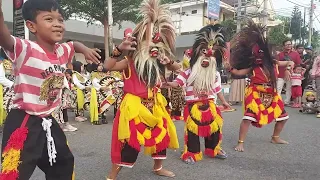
{"x":203,"y":82}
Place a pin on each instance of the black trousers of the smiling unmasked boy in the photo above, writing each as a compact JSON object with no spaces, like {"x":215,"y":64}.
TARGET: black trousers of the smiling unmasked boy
{"x":34,"y":152}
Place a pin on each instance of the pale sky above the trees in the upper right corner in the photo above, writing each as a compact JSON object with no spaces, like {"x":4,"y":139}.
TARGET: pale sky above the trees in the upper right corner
{"x":285,"y":7}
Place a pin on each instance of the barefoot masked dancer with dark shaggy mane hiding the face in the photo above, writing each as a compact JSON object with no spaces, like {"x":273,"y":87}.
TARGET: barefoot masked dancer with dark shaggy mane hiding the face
{"x":250,"y":55}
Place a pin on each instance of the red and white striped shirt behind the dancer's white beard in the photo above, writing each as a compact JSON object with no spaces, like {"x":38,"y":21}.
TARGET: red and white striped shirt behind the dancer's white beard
{"x":190,"y":95}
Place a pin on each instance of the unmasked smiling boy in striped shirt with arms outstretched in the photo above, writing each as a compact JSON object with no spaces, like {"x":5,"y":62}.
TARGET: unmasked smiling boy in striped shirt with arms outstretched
{"x":31,"y":136}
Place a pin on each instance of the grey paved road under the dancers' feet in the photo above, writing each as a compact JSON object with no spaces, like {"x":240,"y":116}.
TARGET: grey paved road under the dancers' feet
{"x":300,"y":160}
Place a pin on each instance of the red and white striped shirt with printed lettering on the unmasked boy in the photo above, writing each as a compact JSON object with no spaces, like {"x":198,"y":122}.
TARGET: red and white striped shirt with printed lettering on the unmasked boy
{"x":39,"y":75}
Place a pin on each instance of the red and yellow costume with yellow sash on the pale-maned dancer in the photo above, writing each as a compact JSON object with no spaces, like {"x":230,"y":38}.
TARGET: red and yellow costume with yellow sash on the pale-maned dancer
{"x":142,"y":119}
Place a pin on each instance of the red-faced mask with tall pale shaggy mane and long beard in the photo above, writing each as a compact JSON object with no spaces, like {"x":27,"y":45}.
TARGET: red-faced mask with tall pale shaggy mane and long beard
{"x":155,"y":37}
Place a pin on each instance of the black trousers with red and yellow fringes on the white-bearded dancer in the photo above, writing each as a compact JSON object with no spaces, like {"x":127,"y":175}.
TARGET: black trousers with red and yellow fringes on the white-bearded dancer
{"x":202,"y":123}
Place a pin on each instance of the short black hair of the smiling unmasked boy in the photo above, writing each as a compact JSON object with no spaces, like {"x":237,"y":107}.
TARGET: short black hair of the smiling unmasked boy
{"x":31,"y":8}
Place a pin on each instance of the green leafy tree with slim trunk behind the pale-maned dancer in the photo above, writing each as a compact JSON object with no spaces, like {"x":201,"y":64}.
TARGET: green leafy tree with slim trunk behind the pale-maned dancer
{"x":96,"y":10}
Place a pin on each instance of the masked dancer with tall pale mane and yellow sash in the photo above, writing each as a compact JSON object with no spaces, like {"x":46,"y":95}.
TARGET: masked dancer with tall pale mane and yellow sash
{"x":142,"y":119}
